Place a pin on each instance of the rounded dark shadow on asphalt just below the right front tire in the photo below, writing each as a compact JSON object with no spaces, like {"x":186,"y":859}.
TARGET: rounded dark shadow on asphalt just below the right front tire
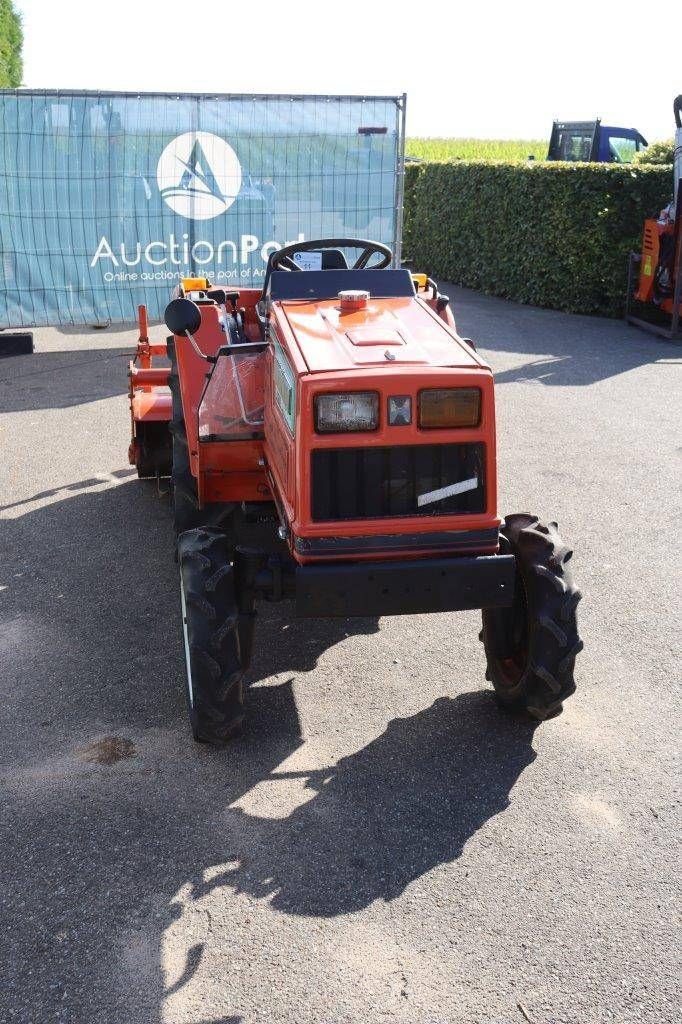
{"x":382,"y":818}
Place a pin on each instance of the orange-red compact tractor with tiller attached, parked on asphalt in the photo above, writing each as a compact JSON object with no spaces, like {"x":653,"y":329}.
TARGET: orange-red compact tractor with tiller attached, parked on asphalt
{"x":333,"y":442}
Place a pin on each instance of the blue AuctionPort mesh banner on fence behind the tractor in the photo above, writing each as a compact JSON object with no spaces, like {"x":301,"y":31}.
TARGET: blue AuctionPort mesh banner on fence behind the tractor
{"x":107,"y":200}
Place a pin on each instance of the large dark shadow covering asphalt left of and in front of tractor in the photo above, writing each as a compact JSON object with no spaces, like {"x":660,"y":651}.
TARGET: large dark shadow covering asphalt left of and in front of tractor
{"x":111,"y":810}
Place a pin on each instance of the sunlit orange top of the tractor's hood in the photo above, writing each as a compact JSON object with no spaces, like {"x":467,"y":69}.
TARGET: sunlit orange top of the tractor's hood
{"x":388,"y":332}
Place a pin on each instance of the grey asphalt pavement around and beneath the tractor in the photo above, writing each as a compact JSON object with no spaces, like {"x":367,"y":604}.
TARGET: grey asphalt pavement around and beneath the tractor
{"x":383,"y":844}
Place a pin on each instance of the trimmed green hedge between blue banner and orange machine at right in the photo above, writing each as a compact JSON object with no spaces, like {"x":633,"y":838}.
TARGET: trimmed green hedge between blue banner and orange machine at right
{"x":550,"y":235}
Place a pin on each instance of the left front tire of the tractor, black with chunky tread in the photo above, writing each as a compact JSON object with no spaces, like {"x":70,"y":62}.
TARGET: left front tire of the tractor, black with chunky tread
{"x":210,"y":627}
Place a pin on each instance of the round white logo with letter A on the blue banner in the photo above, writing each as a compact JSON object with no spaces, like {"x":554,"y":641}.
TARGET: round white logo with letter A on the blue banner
{"x":199,"y":176}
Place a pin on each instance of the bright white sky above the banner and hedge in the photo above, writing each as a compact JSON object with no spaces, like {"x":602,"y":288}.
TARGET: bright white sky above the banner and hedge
{"x":486,"y":69}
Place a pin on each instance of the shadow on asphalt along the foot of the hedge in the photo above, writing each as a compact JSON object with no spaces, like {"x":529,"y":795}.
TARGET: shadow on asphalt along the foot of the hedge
{"x":564,"y":350}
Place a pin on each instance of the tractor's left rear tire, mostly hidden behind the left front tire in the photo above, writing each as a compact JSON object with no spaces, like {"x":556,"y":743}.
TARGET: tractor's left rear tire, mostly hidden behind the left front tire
{"x":187,"y":514}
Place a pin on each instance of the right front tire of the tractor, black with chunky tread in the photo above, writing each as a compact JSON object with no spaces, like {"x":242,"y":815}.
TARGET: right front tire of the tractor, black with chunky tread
{"x":531,"y":648}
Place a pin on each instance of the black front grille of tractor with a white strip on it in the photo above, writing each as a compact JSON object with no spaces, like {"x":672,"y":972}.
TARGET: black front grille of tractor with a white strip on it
{"x":374,"y":484}
